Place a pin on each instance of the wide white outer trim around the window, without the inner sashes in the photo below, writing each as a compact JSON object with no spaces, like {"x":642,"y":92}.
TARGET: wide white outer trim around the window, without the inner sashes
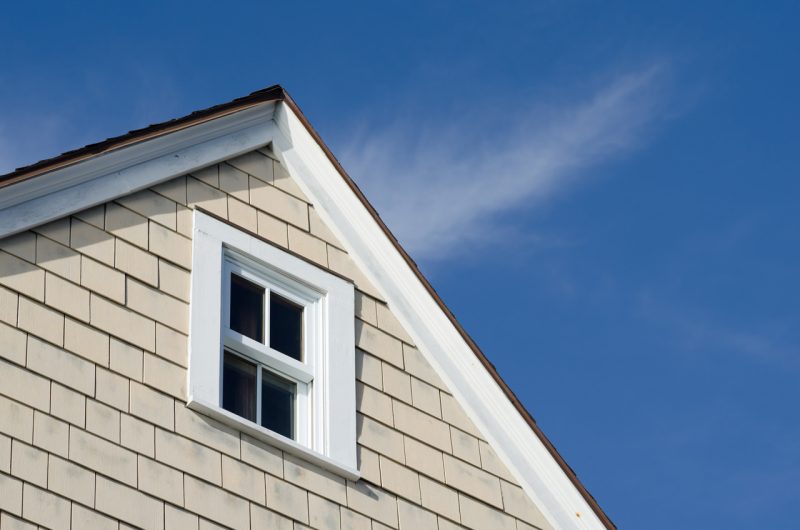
{"x":333,"y":443}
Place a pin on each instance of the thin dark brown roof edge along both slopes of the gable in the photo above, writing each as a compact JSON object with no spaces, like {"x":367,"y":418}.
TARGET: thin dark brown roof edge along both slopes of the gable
{"x":277,"y":93}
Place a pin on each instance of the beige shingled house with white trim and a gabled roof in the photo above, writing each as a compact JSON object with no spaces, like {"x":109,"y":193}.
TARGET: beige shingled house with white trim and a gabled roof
{"x":205,"y":324}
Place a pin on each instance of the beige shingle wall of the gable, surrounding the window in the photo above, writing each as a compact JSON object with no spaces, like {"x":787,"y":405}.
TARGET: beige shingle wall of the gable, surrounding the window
{"x":94,"y":432}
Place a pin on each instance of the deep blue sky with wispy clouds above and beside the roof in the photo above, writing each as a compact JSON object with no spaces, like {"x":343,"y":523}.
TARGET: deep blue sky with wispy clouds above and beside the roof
{"x":606,"y":194}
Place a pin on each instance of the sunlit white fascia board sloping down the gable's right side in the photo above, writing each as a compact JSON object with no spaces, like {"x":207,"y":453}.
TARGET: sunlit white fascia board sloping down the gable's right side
{"x":476,"y":390}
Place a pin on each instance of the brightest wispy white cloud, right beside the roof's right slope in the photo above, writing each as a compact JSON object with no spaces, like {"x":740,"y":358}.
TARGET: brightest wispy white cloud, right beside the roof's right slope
{"x":443,"y":187}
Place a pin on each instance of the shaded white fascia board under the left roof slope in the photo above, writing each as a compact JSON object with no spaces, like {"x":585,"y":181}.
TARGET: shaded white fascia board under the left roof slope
{"x":104,"y":177}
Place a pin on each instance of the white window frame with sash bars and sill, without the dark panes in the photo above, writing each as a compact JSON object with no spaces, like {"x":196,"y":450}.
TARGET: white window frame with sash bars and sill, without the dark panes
{"x":326,"y":419}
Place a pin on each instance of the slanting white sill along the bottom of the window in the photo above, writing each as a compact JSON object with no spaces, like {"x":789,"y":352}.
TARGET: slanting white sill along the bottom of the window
{"x":281,"y":442}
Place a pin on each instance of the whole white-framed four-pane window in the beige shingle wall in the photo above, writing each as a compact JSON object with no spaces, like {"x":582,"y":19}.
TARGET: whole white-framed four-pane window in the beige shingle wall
{"x":271,"y":345}
